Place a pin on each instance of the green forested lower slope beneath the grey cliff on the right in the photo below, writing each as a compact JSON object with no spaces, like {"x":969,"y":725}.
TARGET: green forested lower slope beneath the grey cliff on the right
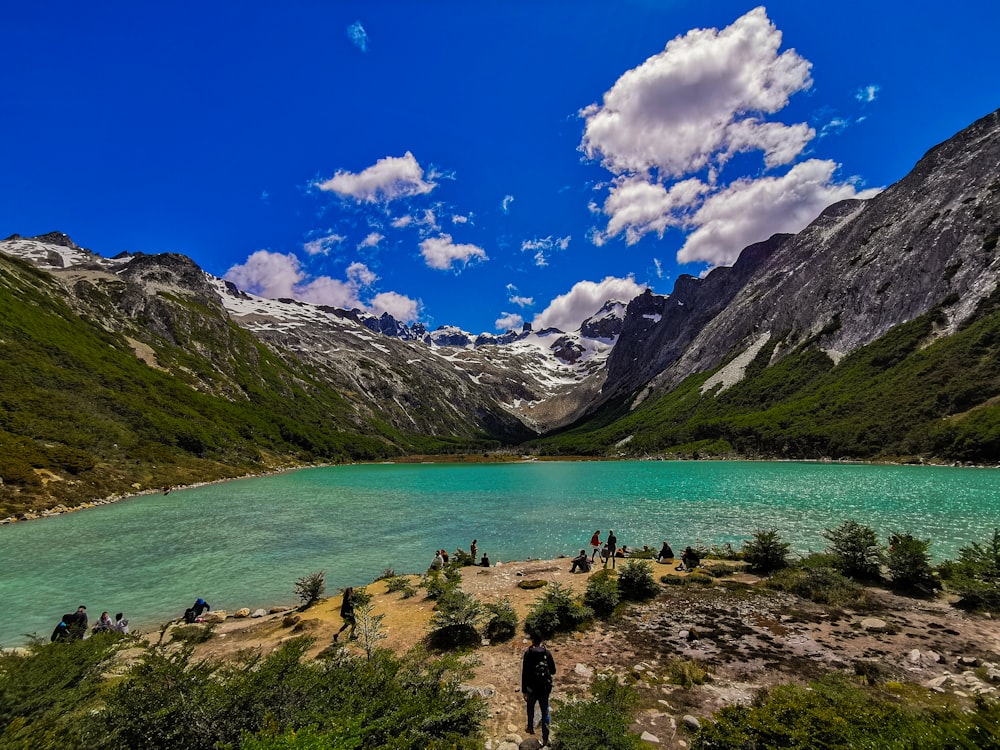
{"x":899,"y":397}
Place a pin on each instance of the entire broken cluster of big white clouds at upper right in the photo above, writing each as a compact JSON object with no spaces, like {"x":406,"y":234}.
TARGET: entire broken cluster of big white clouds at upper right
{"x":669,"y":128}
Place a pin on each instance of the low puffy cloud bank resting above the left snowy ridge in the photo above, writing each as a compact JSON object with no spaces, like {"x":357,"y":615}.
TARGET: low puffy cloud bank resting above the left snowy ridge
{"x":277,"y":275}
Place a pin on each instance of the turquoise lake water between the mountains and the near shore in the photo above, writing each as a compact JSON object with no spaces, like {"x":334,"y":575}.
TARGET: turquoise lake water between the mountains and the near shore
{"x":245,"y":542}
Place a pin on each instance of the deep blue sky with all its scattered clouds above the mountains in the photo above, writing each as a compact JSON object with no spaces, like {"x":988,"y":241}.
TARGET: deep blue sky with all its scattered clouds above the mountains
{"x":477,"y":164}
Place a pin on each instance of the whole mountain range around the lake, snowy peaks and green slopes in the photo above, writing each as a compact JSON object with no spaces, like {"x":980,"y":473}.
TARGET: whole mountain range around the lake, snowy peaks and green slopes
{"x":873,"y":333}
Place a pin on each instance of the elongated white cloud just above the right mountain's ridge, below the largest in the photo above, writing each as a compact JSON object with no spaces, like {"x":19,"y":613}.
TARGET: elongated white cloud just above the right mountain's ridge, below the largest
{"x":749,"y":211}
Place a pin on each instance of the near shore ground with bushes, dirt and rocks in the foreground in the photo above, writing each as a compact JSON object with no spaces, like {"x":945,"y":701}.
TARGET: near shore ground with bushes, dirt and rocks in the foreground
{"x":863,"y":645}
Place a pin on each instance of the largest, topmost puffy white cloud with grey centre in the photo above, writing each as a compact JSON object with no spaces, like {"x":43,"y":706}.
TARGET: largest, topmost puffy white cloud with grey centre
{"x":697,"y":100}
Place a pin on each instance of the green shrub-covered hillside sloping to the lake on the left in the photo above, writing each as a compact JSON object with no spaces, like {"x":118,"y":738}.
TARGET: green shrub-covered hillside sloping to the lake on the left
{"x":81,"y":417}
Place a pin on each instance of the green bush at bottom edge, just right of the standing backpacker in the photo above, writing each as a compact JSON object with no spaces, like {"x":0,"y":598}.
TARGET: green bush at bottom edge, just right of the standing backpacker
{"x":600,"y":723}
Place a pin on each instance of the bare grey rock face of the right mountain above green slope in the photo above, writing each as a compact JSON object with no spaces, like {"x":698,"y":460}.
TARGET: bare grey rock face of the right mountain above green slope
{"x":860,"y":269}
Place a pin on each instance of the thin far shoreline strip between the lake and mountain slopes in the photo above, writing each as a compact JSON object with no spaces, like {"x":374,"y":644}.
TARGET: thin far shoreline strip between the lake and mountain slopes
{"x":62,"y":509}
